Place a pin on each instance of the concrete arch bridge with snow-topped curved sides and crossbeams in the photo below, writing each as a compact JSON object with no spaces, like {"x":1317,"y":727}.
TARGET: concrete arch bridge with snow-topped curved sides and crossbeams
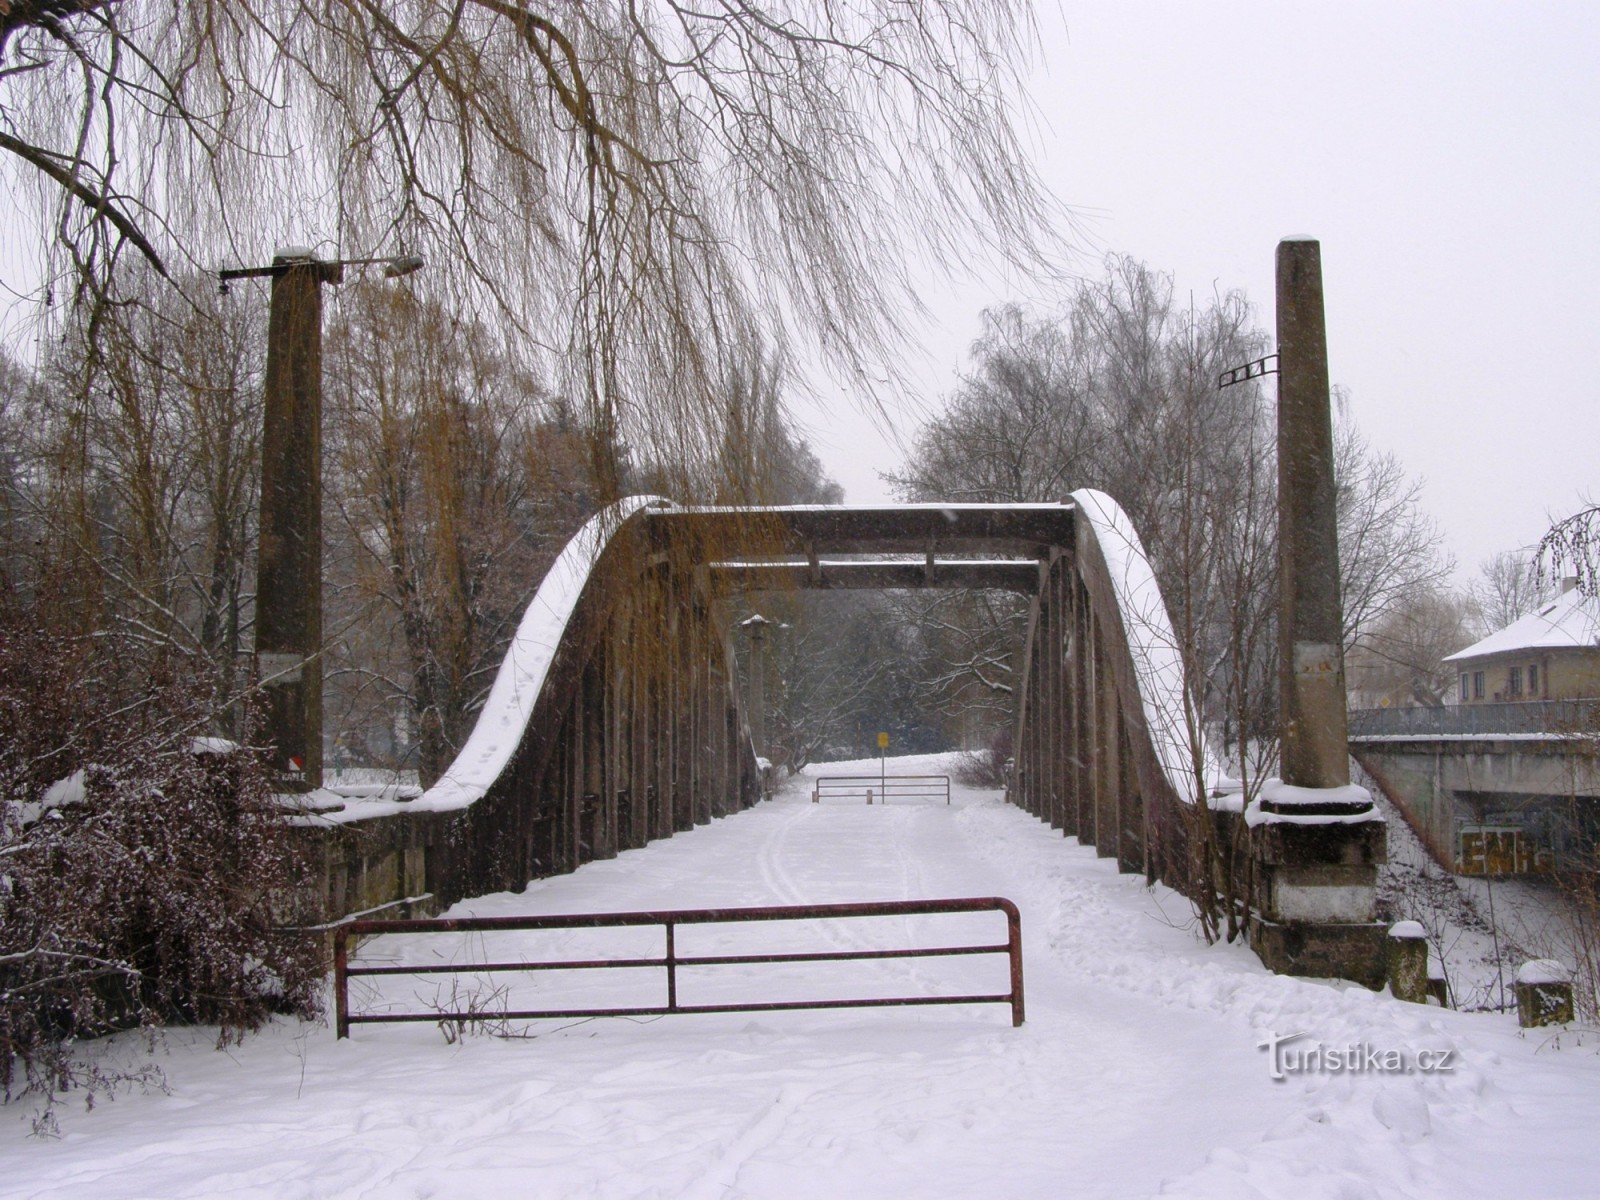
{"x":618,"y":719}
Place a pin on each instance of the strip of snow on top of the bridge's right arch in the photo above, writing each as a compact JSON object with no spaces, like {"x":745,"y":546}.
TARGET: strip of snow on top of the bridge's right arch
{"x":1158,"y":663}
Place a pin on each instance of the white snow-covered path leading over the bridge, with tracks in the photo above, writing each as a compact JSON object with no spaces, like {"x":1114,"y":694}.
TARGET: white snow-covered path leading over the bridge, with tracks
{"x":1138,"y":1071}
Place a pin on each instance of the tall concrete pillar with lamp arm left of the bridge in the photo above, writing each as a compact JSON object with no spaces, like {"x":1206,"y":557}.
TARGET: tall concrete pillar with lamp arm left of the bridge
{"x":289,"y":566}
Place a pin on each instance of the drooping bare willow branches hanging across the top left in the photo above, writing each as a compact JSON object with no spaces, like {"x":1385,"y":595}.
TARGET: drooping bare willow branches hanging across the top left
{"x":636,"y":186}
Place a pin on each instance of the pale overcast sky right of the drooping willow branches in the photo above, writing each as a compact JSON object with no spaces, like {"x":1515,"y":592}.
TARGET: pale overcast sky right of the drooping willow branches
{"x":1446,"y":154}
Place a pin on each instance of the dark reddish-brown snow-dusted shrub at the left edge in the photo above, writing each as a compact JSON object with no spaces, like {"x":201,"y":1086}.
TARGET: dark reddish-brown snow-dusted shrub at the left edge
{"x":140,"y":868}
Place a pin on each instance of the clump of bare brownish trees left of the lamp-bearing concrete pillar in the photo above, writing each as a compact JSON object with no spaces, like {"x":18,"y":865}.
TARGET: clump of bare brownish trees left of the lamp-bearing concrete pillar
{"x":135,"y":452}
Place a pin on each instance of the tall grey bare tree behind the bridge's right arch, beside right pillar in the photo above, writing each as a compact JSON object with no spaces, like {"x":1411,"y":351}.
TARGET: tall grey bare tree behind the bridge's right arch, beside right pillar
{"x":1118,"y":396}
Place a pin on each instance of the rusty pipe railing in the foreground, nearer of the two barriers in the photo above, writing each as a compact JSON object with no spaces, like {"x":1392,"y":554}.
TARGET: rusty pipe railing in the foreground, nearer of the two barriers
{"x":343,"y":972}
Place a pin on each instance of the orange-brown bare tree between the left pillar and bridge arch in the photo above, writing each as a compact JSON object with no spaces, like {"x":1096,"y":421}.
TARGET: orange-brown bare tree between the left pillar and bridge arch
{"x":449,"y":511}
